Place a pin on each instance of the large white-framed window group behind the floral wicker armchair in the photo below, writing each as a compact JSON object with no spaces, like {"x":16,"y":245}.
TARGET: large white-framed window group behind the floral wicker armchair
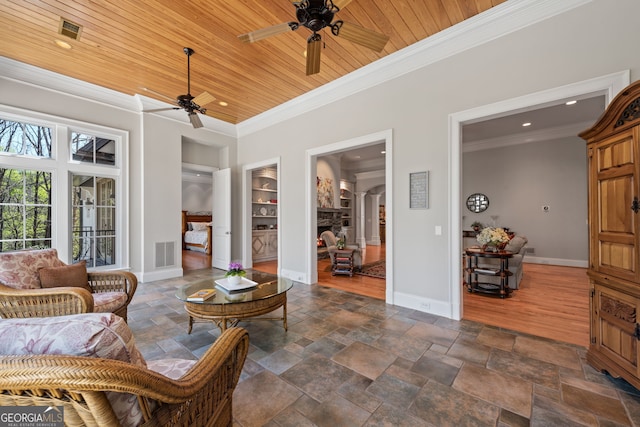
{"x":63,"y":185}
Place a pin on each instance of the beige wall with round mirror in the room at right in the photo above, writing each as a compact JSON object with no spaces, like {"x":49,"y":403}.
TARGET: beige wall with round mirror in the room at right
{"x":519,"y":180}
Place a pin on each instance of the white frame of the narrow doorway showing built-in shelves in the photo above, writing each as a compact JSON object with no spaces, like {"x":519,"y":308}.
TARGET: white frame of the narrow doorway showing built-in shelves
{"x":247,"y":170}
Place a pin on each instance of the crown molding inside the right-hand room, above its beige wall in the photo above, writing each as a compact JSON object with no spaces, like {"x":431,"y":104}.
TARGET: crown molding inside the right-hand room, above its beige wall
{"x":557,"y":132}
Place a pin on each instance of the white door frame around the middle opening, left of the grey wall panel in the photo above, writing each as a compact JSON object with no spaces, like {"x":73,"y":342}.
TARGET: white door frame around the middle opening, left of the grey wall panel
{"x":311,"y":201}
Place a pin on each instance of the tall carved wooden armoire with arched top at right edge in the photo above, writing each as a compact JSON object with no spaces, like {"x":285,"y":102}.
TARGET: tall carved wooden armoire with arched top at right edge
{"x":613,"y":150}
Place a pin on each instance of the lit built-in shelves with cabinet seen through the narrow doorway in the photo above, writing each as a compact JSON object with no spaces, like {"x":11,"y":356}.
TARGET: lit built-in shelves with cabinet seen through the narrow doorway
{"x":264,"y":212}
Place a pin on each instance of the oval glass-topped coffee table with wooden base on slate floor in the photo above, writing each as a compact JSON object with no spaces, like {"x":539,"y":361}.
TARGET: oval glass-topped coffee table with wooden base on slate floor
{"x":226,"y":308}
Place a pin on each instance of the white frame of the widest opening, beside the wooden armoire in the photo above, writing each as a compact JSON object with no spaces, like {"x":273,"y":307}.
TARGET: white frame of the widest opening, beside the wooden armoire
{"x":608,"y":85}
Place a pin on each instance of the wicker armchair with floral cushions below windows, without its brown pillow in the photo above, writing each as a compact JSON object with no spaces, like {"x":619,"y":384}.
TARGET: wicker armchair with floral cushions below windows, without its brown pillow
{"x":21,"y":294}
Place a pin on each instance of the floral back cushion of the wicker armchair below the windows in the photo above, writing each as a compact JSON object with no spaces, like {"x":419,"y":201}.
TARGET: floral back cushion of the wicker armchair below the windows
{"x":19,"y":270}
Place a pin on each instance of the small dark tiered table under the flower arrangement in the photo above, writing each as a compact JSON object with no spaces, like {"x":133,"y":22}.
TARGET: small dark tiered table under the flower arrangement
{"x":475,"y":273}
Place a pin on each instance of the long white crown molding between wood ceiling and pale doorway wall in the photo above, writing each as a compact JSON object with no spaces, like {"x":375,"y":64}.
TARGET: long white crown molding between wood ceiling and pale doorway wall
{"x":496,"y":22}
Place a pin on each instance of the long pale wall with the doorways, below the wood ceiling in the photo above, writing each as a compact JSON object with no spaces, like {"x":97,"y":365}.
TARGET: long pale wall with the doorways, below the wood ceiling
{"x":584,"y":43}
